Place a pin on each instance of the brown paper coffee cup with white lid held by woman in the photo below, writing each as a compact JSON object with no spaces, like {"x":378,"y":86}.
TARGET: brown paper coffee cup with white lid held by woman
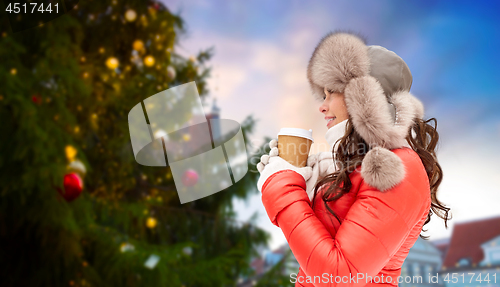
{"x":294,"y":145}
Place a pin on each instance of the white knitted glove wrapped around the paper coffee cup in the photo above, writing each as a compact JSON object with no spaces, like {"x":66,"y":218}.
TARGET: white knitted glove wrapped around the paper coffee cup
{"x":272,"y":163}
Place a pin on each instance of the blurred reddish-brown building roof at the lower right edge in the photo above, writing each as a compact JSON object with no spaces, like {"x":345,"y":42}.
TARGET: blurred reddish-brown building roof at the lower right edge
{"x":467,"y":238}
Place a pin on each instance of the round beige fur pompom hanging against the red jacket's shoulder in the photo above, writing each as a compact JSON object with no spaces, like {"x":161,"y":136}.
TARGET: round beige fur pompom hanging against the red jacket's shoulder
{"x":382,"y":169}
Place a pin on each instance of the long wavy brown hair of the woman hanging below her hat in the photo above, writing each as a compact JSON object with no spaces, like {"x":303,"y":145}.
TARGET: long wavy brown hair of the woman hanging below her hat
{"x":422,"y":138}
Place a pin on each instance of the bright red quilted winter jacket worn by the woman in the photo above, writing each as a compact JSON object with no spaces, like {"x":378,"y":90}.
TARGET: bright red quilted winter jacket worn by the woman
{"x":377,"y":228}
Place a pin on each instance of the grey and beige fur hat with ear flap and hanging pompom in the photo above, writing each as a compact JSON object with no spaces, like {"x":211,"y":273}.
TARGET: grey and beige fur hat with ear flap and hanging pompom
{"x":376,"y":83}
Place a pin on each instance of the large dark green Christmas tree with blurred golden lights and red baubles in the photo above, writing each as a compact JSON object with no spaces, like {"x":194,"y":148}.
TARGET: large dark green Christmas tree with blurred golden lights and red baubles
{"x":75,"y":207}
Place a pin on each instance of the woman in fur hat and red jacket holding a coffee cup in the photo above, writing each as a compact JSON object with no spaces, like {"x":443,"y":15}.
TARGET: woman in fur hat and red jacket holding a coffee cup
{"x":351,"y":218}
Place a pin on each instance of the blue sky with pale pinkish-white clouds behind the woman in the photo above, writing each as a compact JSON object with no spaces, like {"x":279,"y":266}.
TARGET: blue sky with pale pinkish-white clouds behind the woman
{"x":261,"y":53}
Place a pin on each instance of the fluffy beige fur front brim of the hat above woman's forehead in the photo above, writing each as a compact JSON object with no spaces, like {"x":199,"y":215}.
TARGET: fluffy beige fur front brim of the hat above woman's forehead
{"x":338,"y":58}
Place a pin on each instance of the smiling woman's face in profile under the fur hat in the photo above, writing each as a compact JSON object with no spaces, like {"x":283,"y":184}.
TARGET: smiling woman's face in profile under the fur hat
{"x":334,"y":108}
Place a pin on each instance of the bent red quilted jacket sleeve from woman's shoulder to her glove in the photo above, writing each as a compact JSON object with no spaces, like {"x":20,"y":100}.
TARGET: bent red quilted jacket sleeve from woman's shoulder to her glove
{"x":374,"y":229}
